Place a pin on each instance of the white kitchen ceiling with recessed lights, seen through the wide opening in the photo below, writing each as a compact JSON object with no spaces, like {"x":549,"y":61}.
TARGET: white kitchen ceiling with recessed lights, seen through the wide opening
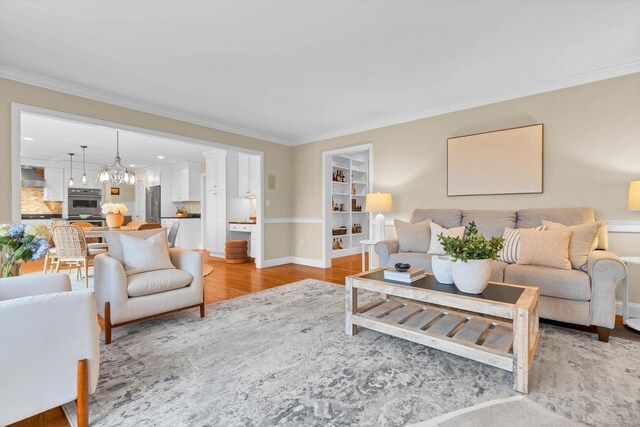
{"x":54,"y":138}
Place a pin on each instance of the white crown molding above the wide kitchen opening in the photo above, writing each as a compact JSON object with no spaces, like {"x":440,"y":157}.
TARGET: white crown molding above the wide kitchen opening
{"x":121,"y":101}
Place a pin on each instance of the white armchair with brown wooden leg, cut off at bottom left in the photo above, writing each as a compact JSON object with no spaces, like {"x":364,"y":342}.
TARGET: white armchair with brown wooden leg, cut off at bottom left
{"x":49,"y":350}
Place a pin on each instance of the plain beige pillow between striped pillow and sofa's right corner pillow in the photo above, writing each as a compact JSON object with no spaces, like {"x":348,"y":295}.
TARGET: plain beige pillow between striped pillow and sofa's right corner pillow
{"x":549,"y":248}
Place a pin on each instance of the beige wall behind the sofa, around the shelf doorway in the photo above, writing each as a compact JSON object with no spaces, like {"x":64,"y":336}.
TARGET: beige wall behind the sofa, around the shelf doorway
{"x":591,"y":152}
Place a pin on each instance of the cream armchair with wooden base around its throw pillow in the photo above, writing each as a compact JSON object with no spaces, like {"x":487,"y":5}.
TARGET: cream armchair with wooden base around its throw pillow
{"x":123,"y":299}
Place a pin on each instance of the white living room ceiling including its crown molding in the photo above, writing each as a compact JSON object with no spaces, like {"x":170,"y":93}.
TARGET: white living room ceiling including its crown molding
{"x":294,"y":71}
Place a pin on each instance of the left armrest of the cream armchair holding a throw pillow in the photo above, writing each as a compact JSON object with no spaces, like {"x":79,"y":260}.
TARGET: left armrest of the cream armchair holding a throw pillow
{"x":110,"y":283}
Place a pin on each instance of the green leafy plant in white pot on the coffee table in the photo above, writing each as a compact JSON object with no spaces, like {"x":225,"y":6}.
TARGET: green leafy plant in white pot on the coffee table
{"x":471,"y":245}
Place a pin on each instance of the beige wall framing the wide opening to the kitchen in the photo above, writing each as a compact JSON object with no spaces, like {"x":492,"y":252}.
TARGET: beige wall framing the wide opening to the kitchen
{"x":277,"y":157}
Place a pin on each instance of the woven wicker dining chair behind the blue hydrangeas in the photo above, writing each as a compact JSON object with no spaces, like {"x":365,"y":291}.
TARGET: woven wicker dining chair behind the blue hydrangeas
{"x":72,"y":249}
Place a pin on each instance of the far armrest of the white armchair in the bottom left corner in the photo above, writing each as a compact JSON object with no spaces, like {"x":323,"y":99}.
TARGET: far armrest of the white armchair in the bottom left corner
{"x":33,"y":284}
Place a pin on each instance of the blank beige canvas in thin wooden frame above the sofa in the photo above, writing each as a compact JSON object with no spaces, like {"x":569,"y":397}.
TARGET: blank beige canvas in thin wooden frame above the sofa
{"x":508,"y":161}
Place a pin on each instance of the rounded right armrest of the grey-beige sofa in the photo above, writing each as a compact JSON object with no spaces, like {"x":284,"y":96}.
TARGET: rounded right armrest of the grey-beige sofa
{"x":606,"y":271}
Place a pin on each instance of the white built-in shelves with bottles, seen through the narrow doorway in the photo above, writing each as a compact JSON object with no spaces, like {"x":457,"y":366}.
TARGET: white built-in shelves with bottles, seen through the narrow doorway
{"x":349,"y":221}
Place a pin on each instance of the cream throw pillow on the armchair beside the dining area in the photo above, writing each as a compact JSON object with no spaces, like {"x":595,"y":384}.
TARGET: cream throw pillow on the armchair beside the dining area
{"x":142,"y":255}
